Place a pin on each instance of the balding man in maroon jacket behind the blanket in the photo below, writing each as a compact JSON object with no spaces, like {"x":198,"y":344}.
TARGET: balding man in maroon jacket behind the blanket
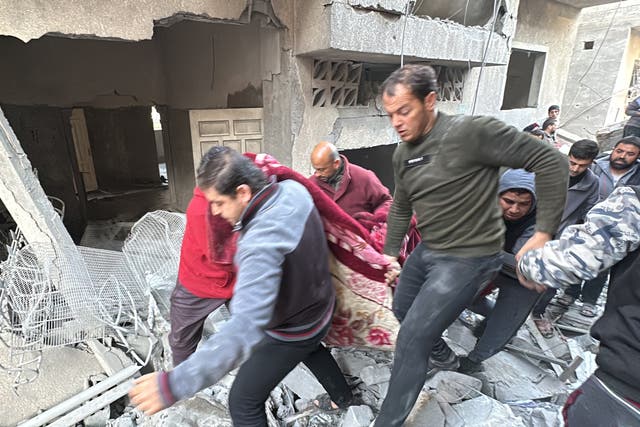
{"x":356,"y":190}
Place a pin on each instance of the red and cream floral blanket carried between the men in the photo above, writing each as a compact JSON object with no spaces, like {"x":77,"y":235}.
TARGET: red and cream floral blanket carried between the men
{"x":363,"y":316}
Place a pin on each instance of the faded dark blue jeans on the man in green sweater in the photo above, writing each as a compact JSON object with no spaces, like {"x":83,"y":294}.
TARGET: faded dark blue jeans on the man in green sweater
{"x":433,"y":290}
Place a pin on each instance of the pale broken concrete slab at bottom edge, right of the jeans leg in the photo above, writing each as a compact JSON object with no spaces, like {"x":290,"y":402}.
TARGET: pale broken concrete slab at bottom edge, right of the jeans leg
{"x":486,"y":412}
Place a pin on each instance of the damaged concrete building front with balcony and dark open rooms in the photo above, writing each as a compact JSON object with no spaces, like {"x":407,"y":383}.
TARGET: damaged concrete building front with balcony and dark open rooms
{"x":278,"y":76}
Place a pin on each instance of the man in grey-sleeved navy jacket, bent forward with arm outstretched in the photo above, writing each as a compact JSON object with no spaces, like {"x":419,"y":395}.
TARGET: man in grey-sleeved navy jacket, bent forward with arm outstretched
{"x":283,"y":299}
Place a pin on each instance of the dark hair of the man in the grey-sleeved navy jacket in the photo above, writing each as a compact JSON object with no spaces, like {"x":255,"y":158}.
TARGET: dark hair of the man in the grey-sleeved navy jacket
{"x":224,"y":169}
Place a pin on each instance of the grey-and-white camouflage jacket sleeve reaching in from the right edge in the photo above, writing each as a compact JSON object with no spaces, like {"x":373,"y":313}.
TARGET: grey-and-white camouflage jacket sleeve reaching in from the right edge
{"x":611,"y":230}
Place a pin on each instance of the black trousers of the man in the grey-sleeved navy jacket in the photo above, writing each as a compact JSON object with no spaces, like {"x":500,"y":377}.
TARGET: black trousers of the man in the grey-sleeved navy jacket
{"x":270,"y":362}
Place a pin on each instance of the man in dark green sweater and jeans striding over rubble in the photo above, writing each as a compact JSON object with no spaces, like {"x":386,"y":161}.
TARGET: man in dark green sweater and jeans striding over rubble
{"x":446,"y":170}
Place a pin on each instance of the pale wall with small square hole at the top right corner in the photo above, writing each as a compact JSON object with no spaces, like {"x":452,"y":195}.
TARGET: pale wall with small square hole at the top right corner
{"x":600,"y":72}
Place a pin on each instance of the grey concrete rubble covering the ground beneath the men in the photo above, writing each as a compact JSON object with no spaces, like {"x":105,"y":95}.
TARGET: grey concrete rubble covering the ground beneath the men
{"x":513,"y":389}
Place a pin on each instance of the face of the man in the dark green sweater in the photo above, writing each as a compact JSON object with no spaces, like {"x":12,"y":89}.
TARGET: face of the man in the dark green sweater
{"x":410,"y":116}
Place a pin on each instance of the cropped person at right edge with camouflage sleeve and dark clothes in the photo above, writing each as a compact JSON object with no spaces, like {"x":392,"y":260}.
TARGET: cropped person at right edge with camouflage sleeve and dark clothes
{"x":609,"y":237}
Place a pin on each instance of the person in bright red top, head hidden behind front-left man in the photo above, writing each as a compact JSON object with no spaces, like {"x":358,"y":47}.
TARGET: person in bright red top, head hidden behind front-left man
{"x":206,"y":276}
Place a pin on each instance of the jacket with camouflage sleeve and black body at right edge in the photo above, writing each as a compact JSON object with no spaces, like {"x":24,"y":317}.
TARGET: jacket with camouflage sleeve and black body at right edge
{"x":610,"y":237}
